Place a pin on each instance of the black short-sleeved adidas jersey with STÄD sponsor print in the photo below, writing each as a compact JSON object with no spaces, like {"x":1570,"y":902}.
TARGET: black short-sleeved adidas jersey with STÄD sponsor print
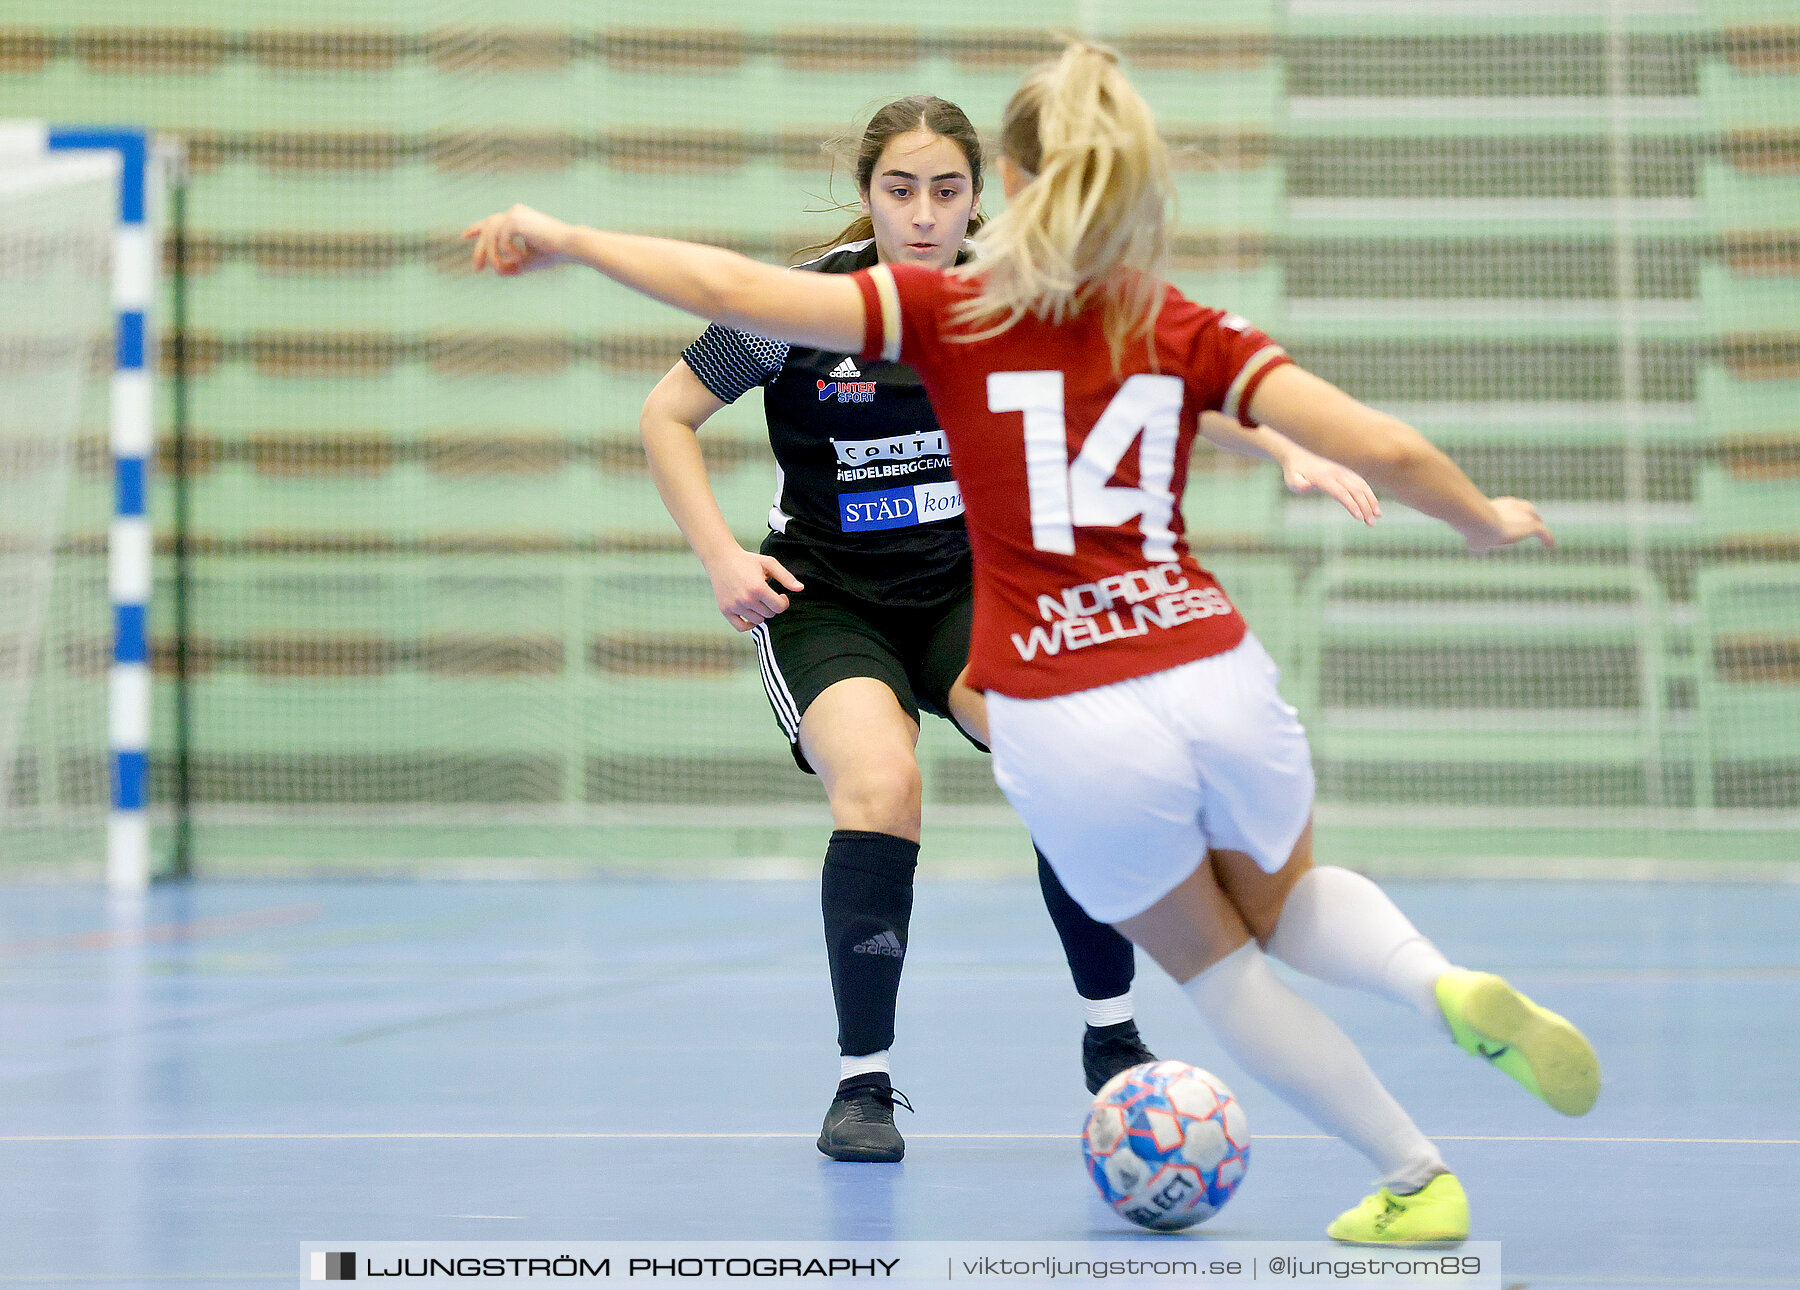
{"x":865,"y":497}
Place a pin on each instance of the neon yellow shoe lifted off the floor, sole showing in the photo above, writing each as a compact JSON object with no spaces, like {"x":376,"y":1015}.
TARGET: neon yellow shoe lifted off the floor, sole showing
{"x":1534,"y":1046}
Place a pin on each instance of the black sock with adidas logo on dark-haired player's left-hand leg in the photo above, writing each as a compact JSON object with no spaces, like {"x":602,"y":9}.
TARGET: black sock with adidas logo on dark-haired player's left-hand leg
{"x":867,"y":895}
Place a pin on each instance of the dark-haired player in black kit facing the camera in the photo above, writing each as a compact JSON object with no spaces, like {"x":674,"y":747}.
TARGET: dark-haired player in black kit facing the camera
{"x":861,"y":602}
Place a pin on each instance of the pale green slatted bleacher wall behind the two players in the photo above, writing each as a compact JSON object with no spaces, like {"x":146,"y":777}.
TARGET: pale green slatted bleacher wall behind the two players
{"x":440,"y":616}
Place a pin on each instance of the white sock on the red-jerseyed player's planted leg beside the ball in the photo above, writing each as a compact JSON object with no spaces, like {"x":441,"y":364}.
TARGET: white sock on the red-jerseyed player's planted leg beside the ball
{"x":1302,"y":1055}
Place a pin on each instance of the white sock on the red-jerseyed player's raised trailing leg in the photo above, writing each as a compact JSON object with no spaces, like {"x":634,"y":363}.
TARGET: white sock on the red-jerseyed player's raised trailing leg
{"x":1340,"y":927}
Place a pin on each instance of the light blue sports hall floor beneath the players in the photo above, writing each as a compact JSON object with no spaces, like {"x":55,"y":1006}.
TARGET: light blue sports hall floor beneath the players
{"x":193,"y":1089}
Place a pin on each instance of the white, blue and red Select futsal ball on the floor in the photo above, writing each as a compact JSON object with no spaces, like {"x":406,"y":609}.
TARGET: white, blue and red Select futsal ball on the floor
{"x":1167,"y":1145}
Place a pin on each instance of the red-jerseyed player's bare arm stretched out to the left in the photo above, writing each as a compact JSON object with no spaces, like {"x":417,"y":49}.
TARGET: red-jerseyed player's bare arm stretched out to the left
{"x":816,"y":310}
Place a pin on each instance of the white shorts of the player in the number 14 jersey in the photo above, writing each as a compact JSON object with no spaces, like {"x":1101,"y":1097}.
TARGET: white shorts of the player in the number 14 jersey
{"x":1128,"y":787}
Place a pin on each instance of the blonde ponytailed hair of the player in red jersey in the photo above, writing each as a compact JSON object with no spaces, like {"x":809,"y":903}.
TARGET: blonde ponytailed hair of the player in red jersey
{"x":1093,"y":222}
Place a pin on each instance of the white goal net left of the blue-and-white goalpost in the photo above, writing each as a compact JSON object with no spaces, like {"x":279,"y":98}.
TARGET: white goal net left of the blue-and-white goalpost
{"x":57,"y":219}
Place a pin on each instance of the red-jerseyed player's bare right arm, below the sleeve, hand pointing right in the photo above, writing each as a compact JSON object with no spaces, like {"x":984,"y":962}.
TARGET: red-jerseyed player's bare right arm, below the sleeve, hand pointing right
{"x":1322,"y":418}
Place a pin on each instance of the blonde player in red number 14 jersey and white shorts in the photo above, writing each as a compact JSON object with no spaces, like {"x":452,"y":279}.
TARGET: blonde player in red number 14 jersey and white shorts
{"x":1135,"y":721}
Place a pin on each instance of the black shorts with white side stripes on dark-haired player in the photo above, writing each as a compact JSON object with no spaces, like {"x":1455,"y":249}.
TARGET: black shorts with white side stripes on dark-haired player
{"x":823,"y":640}
